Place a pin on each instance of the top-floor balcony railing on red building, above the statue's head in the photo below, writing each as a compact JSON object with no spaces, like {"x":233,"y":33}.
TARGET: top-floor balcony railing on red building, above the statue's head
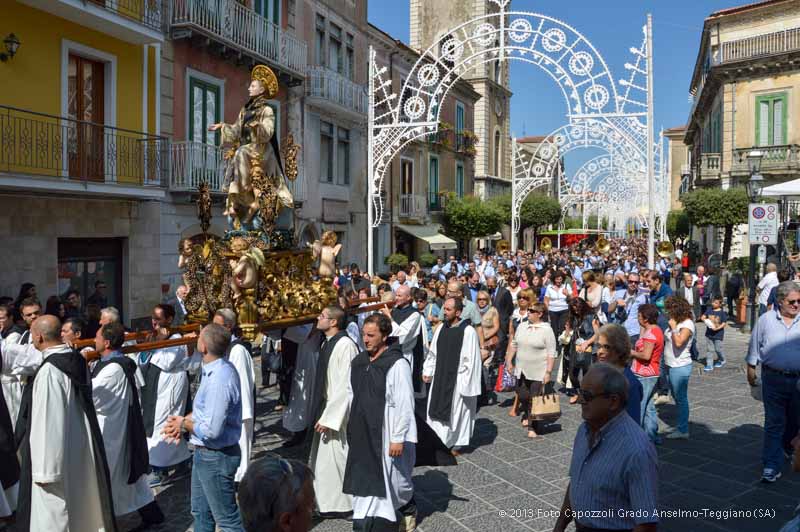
{"x":237,"y":26}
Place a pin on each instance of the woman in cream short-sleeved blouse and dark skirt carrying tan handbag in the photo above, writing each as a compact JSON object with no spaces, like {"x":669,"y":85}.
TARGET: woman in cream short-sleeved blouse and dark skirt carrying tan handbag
{"x":534,"y":346}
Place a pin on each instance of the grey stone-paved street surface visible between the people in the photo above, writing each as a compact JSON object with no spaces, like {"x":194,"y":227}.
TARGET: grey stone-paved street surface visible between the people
{"x":718,"y":469}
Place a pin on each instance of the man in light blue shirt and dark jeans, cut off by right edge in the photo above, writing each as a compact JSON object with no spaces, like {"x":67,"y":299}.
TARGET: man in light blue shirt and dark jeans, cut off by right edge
{"x":775,"y":344}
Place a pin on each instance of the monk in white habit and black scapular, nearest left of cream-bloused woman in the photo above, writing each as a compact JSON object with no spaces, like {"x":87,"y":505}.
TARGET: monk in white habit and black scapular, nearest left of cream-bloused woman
{"x":453,"y":367}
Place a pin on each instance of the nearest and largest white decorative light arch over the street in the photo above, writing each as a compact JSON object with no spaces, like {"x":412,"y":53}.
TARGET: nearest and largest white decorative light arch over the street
{"x":589,"y":90}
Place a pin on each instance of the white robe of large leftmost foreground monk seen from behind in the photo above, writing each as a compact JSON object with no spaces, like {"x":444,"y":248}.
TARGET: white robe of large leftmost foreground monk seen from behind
{"x":65,"y":495}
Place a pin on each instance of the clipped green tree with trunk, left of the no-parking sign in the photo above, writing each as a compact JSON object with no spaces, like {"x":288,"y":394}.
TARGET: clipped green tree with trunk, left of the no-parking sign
{"x":722,"y":208}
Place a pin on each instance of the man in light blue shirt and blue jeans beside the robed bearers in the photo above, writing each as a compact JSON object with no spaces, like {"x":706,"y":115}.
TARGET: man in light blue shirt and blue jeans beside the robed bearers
{"x":214,"y":427}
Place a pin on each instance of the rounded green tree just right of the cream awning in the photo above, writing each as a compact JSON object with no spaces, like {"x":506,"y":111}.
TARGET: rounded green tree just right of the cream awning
{"x":469,"y":217}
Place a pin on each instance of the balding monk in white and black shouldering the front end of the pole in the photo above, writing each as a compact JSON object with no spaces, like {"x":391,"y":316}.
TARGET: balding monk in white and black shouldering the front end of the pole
{"x":409,"y":328}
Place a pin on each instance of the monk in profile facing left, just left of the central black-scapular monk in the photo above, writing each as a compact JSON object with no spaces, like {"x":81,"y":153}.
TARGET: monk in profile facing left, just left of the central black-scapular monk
{"x":331,"y":411}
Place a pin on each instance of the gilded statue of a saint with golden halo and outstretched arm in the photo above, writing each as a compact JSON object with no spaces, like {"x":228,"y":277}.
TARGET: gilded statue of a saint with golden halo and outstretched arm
{"x":254,"y":159}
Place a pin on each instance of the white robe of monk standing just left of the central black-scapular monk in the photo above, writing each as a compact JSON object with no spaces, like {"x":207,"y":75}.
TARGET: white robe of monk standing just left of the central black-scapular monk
{"x":329,"y":453}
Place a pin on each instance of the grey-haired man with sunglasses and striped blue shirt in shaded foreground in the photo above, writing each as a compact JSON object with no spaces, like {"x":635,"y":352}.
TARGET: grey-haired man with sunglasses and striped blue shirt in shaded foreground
{"x":614,"y":468}
